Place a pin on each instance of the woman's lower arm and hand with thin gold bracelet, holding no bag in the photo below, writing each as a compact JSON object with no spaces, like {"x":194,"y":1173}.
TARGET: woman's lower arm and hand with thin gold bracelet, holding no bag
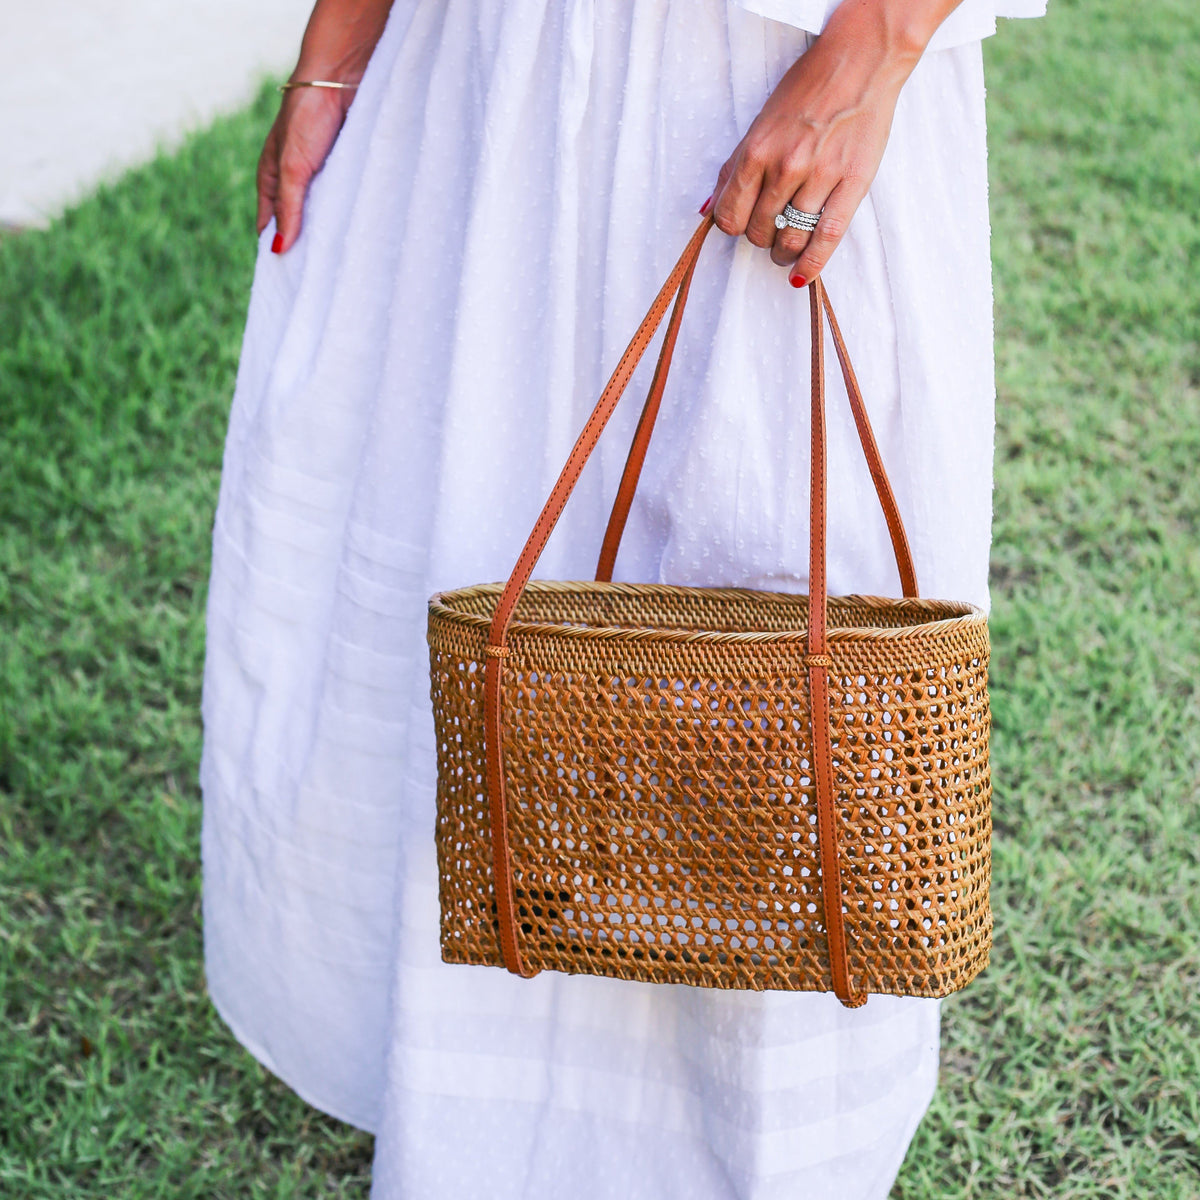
{"x":338,"y":46}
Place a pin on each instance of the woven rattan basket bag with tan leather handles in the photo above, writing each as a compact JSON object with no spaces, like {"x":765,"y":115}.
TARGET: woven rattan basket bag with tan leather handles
{"x":716,"y":787}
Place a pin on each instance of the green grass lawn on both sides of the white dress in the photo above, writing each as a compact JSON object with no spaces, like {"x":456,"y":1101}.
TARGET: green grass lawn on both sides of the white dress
{"x":1071,"y":1070}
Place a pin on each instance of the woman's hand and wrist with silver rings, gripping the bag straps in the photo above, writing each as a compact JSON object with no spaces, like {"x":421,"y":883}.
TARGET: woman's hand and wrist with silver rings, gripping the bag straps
{"x":820,"y":137}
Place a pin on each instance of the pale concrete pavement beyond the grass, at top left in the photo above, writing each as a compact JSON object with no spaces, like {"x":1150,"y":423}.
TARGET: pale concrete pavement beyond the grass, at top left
{"x":93,"y":87}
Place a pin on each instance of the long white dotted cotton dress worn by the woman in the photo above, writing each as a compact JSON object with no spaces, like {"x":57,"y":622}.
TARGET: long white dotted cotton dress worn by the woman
{"x":514,"y":182}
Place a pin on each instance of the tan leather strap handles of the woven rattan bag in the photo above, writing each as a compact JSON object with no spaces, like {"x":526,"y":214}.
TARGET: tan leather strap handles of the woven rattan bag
{"x":817,"y":659}
